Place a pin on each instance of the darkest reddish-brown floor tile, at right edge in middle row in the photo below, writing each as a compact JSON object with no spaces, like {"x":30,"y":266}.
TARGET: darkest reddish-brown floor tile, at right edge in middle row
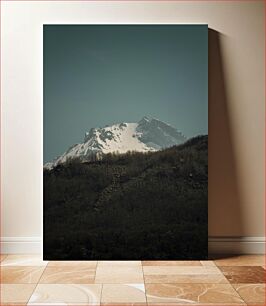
{"x":242,"y":274}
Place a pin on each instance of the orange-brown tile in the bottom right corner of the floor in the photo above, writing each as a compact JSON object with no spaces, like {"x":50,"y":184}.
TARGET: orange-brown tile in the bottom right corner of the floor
{"x":251,"y":293}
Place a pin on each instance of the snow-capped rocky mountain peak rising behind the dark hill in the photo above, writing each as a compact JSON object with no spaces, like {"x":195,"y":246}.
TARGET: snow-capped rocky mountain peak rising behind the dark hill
{"x":149,"y":134}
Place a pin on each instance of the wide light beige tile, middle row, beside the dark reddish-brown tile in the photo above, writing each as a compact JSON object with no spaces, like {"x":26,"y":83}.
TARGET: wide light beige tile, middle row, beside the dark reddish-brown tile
{"x":183,"y":274}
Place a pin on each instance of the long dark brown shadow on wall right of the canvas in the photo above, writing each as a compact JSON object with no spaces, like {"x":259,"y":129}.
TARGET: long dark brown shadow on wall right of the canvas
{"x":225,"y":217}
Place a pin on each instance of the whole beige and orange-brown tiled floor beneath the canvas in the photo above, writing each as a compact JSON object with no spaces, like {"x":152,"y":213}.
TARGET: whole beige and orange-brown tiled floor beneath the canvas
{"x":27,"y":280}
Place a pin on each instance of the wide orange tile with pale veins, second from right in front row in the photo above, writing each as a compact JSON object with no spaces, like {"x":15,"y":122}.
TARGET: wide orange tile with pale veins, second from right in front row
{"x":192,"y":293}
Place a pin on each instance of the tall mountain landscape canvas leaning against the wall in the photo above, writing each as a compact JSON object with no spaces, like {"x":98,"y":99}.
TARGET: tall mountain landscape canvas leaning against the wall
{"x":125,"y":169}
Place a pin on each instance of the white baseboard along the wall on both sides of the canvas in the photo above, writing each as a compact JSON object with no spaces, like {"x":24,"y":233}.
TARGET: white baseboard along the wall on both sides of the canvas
{"x":217,"y":245}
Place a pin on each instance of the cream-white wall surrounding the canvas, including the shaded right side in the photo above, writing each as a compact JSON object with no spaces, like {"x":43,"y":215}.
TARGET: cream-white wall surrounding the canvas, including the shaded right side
{"x":236,"y":118}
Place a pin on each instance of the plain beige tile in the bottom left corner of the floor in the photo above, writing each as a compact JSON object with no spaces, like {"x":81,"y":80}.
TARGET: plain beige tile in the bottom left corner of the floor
{"x":16,"y":293}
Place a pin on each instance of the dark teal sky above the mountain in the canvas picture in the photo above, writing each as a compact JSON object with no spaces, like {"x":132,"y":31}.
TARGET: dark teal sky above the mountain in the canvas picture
{"x":96,"y":75}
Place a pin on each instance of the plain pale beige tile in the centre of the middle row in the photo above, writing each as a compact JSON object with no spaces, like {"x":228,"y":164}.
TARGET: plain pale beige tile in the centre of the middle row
{"x":119,"y":274}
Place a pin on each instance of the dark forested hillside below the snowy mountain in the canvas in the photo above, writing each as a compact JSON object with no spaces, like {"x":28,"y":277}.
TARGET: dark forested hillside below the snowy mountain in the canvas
{"x":129,"y":206}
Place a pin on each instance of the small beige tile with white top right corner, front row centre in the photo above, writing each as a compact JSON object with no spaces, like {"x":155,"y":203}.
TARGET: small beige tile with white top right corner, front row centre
{"x":123,"y":293}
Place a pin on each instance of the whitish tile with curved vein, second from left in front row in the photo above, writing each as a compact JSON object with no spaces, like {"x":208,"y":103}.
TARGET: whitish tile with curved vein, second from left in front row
{"x":88,"y":294}
